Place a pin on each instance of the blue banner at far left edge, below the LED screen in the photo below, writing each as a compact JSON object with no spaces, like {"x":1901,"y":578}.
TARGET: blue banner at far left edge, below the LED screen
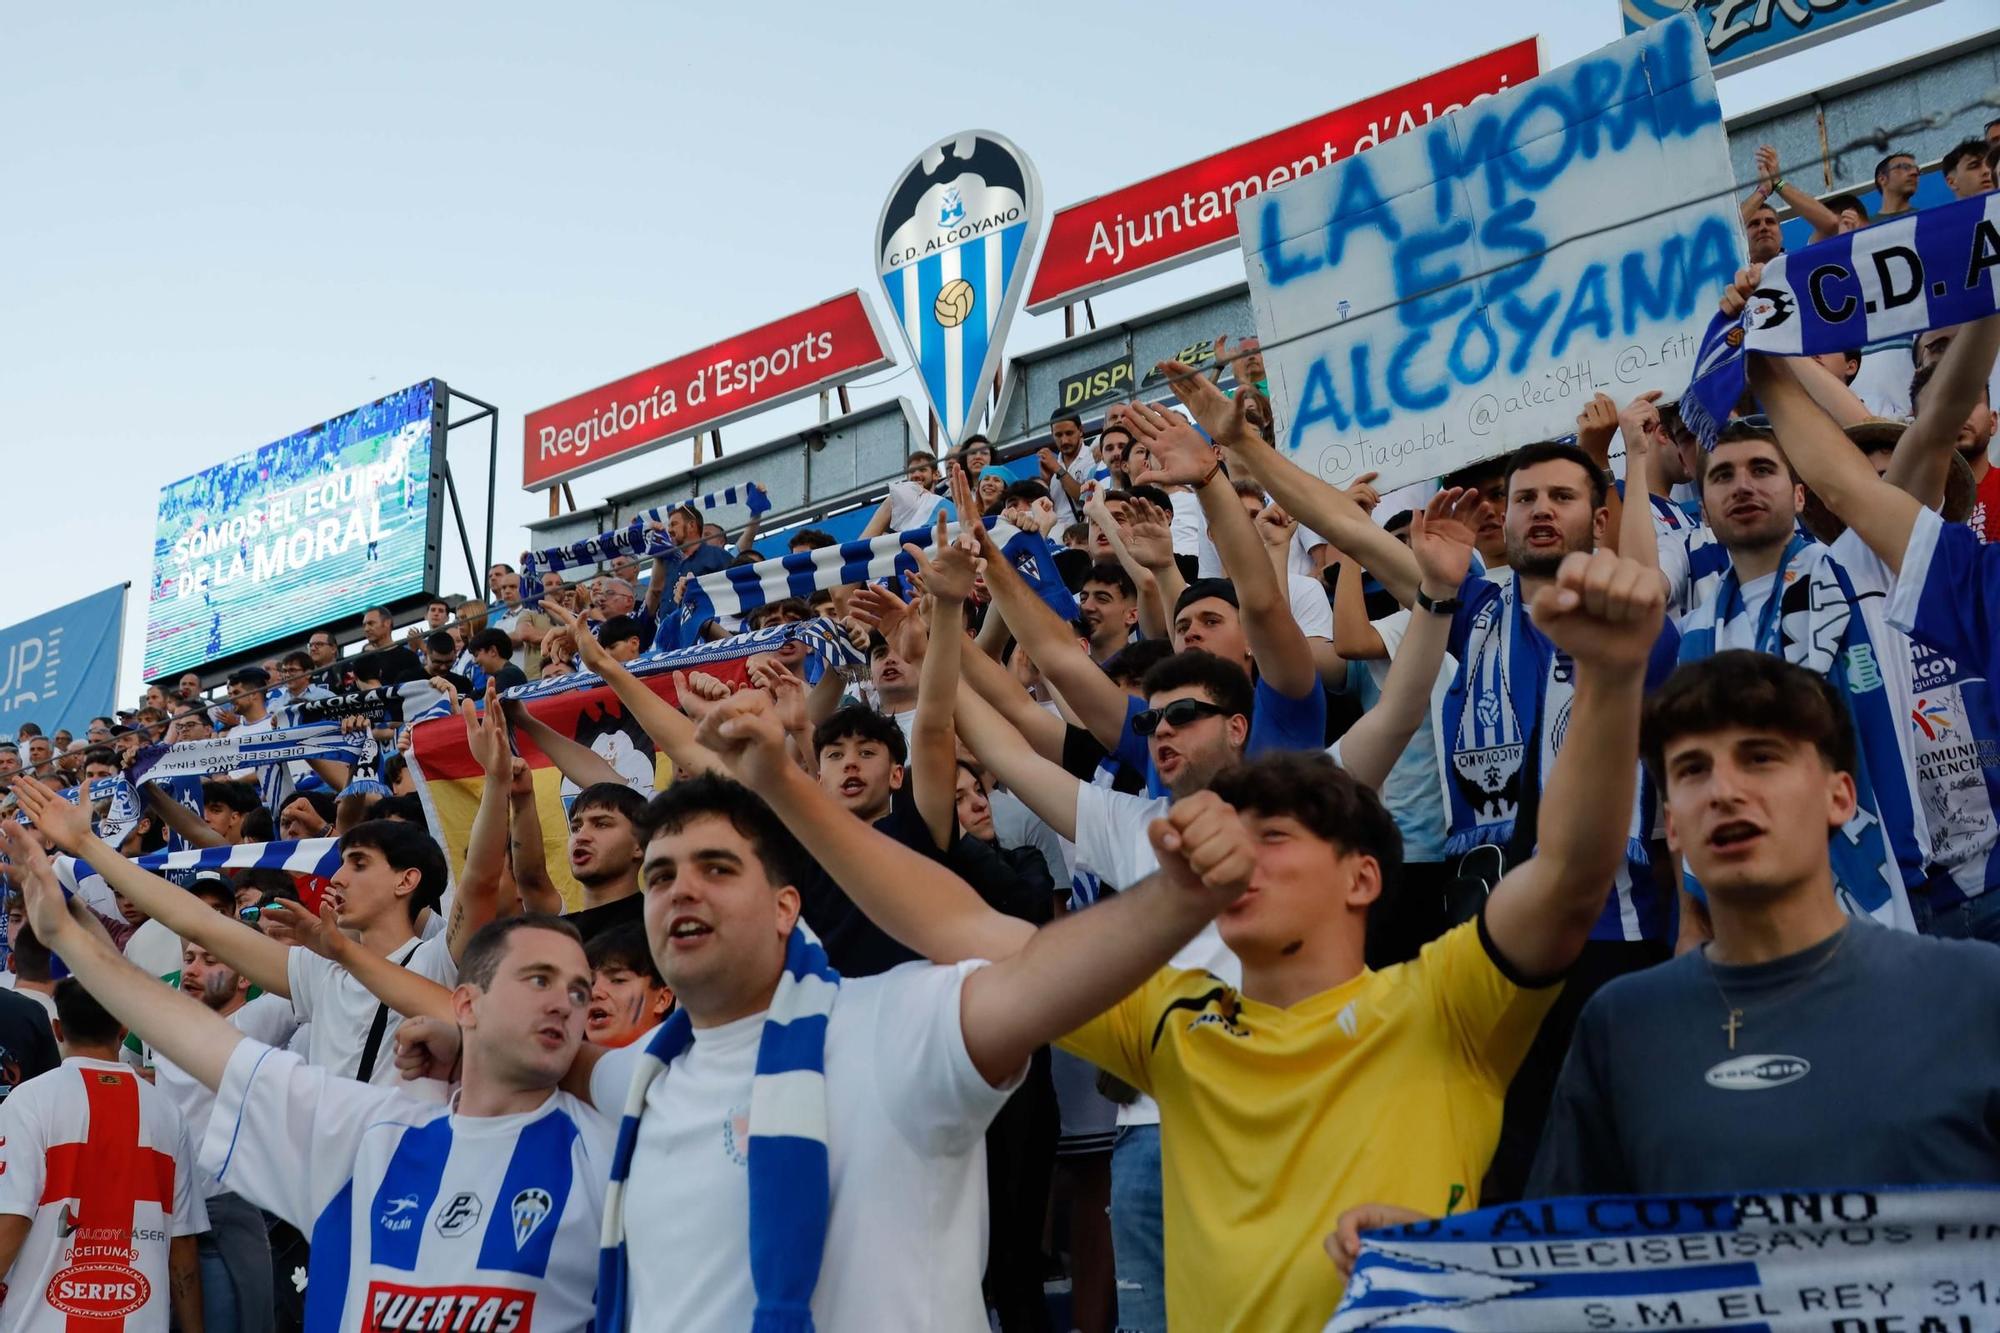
{"x":61,"y":670}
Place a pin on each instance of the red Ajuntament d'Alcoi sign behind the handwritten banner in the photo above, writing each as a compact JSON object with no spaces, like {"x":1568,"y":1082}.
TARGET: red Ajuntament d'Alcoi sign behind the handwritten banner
{"x":1191,"y":211}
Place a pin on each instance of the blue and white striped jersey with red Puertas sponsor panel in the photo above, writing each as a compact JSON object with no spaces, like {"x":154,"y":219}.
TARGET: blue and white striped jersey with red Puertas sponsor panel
{"x":419,"y":1218}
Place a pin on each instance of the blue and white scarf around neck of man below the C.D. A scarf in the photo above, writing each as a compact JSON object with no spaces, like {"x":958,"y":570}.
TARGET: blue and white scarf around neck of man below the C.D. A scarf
{"x":1813,"y":619}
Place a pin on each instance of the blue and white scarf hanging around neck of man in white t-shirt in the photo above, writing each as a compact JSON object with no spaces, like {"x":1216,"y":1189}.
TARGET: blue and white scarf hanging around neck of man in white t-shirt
{"x":791,"y":1196}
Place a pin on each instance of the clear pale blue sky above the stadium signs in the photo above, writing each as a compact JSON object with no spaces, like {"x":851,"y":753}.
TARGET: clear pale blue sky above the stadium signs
{"x":227,"y":223}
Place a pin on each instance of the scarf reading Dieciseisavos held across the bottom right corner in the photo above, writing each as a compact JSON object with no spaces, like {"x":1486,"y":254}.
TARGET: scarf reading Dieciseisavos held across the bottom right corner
{"x":1771,"y":1262}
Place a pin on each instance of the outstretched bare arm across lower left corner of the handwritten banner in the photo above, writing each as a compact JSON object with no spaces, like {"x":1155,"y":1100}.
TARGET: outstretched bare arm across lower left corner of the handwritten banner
{"x":1309,"y":499}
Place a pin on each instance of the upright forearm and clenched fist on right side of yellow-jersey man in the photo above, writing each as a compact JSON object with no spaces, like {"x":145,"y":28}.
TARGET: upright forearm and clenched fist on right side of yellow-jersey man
{"x":1605,"y":611}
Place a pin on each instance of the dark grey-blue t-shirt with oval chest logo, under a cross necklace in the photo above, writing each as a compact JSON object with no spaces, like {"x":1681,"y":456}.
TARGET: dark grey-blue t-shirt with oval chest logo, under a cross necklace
{"x":1867,"y":1060}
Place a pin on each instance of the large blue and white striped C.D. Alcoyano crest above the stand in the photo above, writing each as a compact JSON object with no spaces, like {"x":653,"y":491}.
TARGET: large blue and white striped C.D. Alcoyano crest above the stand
{"x":953,"y":251}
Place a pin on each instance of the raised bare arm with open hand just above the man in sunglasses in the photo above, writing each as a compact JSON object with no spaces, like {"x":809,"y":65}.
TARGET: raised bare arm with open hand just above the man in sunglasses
{"x":1183,"y":457}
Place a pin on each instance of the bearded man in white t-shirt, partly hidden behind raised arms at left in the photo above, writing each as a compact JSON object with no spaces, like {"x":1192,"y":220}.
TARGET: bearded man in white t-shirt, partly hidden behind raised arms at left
{"x":237,"y":1284}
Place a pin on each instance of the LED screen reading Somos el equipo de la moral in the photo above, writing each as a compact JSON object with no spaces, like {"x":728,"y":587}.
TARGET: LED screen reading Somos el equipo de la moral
{"x":295,"y":535}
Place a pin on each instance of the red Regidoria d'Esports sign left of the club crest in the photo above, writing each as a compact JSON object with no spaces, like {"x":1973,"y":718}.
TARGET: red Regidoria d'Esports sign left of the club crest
{"x":761,"y":369}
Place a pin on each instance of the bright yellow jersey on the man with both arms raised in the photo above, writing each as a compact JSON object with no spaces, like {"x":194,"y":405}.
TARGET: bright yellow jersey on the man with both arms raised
{"x":1275,"y":1122}
